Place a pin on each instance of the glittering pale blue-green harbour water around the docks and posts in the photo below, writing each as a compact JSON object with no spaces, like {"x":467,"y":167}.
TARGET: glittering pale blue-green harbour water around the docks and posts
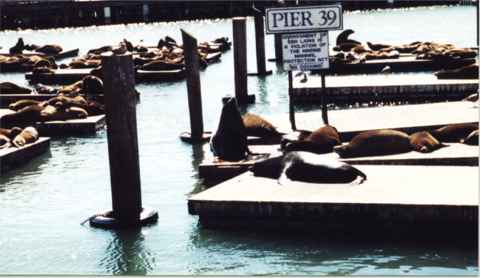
{"x":43,"y":202}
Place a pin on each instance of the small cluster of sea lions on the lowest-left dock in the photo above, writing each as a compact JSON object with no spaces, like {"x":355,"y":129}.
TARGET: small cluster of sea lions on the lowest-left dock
{"x":17,"y":137}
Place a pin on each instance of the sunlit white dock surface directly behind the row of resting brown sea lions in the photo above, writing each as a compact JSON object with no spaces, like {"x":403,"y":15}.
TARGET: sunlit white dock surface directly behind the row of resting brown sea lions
{"x":408,"y":118}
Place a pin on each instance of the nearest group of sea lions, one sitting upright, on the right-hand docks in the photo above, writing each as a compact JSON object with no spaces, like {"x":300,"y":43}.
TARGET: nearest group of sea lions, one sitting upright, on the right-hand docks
{"x":301,"y":160}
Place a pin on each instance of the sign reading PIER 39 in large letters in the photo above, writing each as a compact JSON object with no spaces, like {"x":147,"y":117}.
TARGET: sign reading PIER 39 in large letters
{"x":304,"y":19}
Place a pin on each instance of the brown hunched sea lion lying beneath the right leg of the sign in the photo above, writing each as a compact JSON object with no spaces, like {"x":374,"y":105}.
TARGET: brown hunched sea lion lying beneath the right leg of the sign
{"x":321,"y":140}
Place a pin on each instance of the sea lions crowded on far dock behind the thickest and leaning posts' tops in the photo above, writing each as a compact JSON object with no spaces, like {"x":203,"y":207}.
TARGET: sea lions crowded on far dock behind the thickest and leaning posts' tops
{"x":167,"y":55}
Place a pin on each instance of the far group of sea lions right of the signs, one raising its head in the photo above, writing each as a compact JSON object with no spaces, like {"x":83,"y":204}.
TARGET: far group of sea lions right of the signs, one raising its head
{"x":352,"y":51}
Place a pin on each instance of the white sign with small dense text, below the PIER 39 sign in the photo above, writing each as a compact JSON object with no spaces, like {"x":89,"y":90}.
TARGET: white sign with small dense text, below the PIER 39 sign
{"x":305,"y":51}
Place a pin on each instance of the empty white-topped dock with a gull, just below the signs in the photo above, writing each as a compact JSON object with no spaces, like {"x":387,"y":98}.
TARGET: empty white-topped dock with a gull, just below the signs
{"x":348,"y":89}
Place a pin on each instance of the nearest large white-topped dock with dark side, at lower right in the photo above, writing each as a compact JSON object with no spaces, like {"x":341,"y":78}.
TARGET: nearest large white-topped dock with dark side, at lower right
{"x":392,"y":199}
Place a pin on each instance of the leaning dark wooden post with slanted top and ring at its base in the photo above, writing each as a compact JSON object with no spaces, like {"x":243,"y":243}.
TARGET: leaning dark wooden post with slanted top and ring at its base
{"x":194,"y":90}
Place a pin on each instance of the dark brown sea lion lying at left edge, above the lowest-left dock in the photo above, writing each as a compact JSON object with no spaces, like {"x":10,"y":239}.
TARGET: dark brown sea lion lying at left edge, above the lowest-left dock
{"x":23,"y":117}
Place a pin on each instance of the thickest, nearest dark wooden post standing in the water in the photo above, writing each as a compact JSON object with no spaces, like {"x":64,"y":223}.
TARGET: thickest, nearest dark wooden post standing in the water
{"x":120,"y":105}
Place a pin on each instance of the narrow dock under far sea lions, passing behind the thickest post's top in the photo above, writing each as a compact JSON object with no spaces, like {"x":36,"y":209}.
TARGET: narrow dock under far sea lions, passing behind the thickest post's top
{"x":68,"y":76}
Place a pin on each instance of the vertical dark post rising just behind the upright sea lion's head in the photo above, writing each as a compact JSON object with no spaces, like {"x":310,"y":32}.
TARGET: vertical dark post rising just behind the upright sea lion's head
{"x":240,"y":60}
